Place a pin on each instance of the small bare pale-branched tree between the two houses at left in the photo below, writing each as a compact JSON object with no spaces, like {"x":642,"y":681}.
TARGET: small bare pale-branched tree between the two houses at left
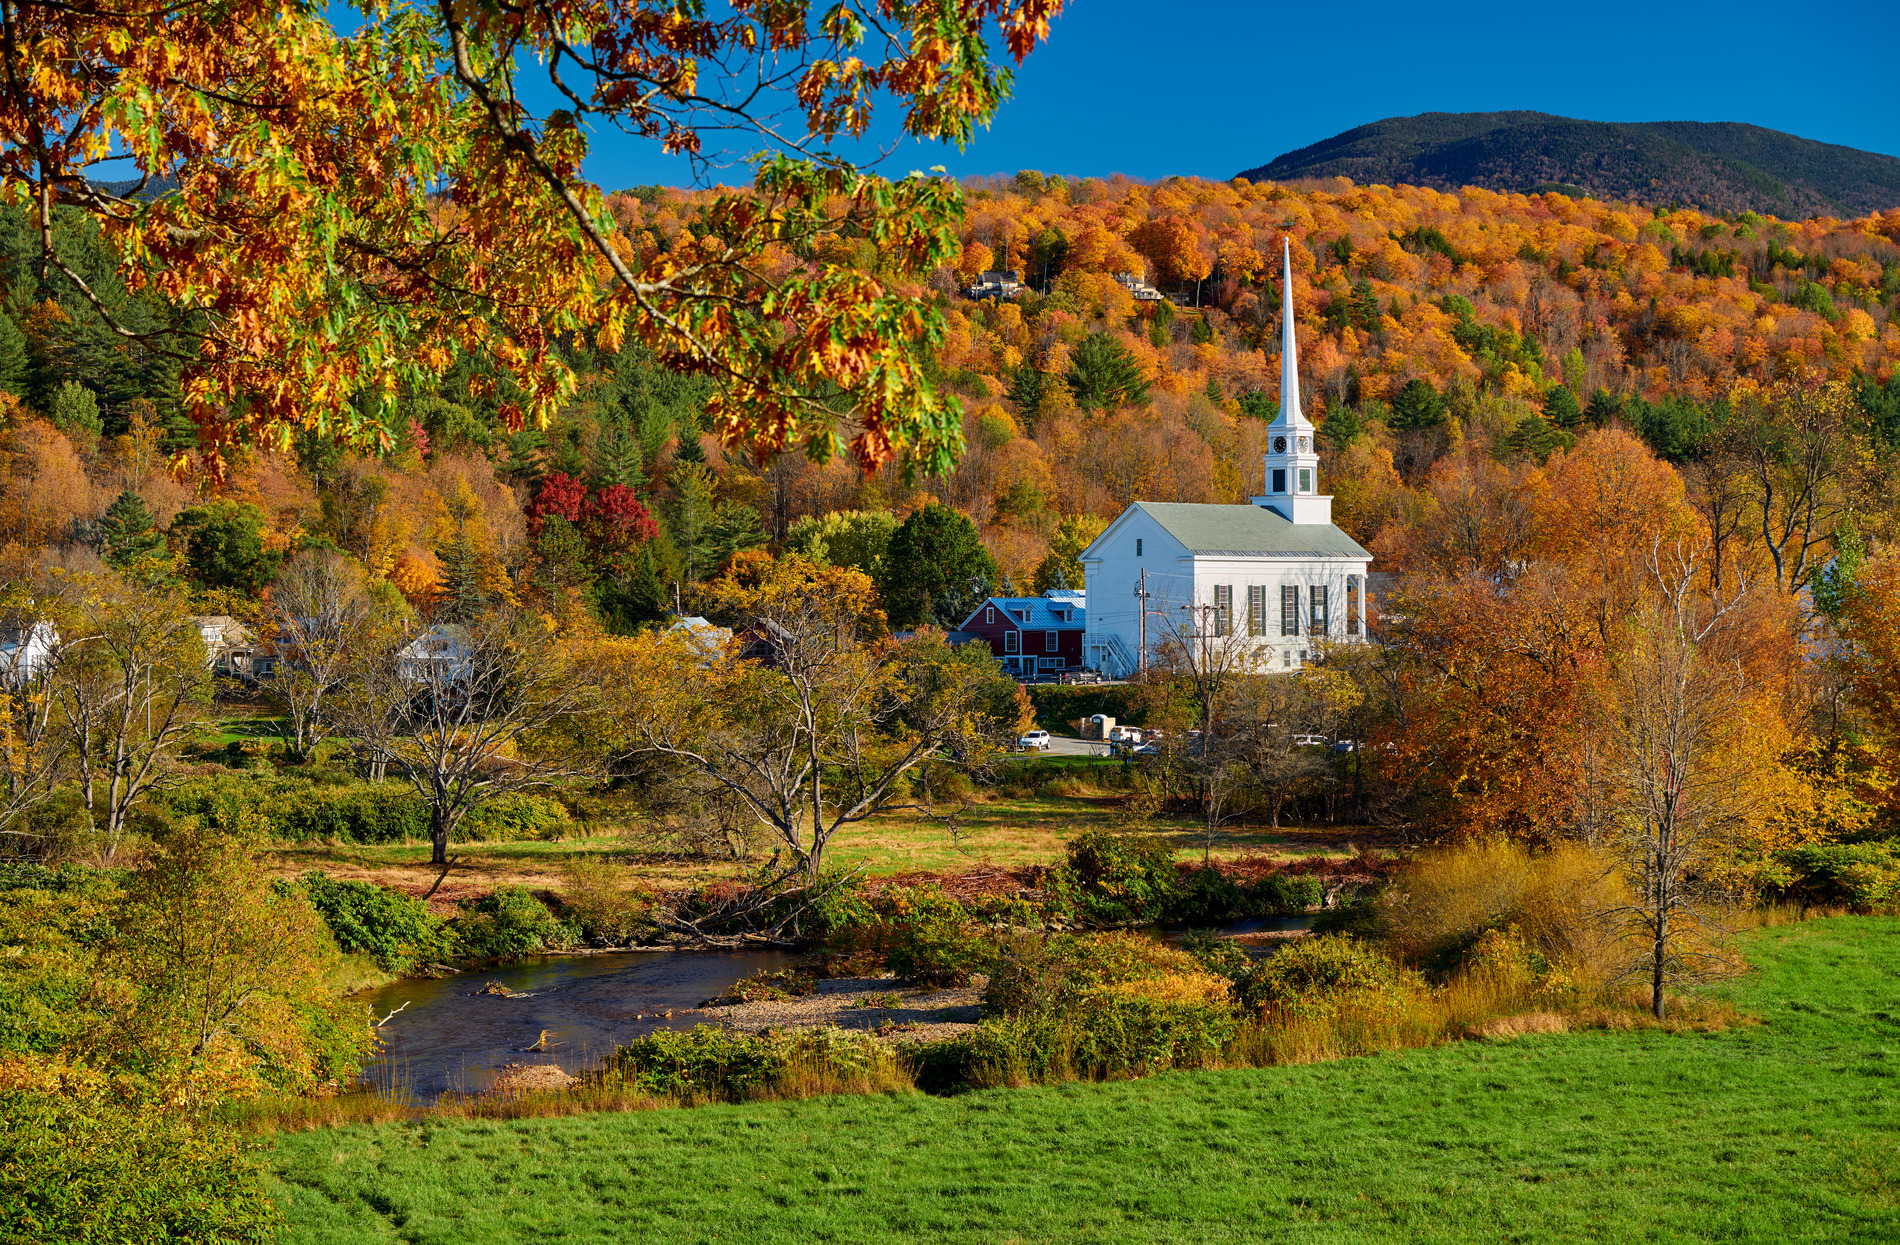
{"x":320,"y":613}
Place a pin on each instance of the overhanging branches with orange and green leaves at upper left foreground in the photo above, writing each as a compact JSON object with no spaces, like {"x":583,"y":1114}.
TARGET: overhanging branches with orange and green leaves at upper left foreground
{"x":402,"y":159}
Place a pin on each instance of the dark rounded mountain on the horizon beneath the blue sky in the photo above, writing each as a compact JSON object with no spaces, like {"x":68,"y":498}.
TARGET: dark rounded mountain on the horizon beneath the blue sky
{"x":1717,"y":166}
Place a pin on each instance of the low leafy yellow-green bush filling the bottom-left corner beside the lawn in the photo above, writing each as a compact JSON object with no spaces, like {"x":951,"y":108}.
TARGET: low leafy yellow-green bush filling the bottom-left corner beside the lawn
{"x":98,"y":1174}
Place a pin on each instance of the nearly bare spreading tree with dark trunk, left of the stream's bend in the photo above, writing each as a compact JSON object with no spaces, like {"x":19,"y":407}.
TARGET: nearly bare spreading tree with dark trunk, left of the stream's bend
{"x":466,"y":714}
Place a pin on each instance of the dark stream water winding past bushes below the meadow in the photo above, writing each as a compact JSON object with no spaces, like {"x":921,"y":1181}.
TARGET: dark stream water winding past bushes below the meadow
{"x":453,"y":1039}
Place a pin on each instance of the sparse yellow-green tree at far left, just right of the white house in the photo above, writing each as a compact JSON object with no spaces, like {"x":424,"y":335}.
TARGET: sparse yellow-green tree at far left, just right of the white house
{"x":132,"y":685}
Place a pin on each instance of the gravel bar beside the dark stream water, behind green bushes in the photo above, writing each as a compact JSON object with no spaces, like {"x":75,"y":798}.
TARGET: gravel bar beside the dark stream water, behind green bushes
{"x":869,"y":1005}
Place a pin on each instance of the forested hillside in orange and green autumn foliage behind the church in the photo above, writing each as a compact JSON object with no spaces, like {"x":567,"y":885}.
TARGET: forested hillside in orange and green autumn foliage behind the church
{"x":1434,"y":326}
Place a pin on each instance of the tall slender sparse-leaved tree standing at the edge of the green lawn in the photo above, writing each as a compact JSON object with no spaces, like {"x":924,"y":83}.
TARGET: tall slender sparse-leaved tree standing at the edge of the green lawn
{"x":1684,"y":786}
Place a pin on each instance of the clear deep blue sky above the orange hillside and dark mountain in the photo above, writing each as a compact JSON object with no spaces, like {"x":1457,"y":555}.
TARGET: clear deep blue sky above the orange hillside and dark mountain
{"x":1217,"y":88}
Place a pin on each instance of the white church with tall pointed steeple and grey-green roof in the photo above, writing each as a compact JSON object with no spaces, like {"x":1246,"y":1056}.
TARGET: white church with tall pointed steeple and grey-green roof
{"x":1276,"y":569}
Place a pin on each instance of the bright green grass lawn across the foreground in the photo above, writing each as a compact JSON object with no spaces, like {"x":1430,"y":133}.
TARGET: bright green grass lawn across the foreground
{"x":1776,"y":1132}
